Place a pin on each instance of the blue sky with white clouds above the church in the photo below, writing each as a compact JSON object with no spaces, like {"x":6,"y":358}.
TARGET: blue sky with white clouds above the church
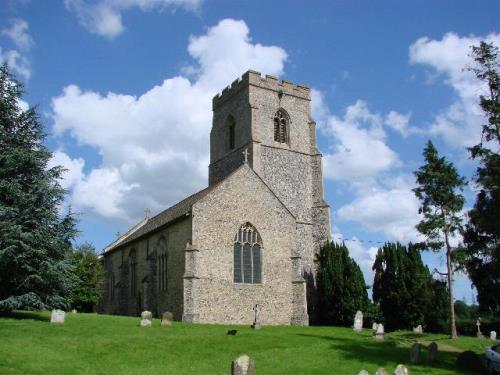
{"x":124,"y":88}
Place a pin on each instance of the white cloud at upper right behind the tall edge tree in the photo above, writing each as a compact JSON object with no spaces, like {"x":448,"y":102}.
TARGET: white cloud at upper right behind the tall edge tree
{"x":460,"y":123}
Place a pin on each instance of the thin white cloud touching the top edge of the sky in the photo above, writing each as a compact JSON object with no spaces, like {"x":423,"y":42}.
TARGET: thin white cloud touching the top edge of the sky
{"x":104,"y":17}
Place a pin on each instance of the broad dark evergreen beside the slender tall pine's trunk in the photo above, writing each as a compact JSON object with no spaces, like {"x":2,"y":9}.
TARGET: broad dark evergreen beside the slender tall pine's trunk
{"x":404,"y":288}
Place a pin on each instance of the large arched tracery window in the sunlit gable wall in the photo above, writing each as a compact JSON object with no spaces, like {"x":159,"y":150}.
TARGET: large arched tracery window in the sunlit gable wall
{"x":247,"y":255}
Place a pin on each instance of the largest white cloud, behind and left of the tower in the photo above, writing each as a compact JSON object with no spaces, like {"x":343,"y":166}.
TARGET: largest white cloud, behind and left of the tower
{"x":154,"y":146}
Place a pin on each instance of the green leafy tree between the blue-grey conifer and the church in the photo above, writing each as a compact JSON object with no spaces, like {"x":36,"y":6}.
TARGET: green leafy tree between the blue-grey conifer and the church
{"x":88,"y":278}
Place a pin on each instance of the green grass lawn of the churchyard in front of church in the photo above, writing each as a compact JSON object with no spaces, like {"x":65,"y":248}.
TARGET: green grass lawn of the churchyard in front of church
{"x":103,"y":344}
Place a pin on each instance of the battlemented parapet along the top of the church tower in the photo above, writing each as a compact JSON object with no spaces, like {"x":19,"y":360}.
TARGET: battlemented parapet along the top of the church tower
{"x":253,"y":78}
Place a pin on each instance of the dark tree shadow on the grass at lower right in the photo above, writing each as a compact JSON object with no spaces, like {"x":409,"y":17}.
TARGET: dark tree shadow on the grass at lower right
{"x":367,"y":350}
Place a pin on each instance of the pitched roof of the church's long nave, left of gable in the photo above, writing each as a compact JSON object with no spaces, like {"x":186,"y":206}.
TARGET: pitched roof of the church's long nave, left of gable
{"x":179,"y":210}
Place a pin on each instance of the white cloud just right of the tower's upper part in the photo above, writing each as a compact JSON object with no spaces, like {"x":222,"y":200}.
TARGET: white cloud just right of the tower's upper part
{"x":357,"y":144}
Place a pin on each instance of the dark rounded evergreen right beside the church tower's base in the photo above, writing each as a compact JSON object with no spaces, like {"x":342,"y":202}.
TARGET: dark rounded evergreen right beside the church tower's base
{"x":340,"y":285}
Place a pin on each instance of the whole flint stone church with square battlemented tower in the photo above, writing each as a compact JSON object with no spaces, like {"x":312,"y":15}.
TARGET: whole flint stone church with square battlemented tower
{"x":249,"y":238}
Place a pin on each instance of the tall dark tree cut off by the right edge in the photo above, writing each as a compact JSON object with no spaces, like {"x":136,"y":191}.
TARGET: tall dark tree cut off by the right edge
{"x":482,"y":232}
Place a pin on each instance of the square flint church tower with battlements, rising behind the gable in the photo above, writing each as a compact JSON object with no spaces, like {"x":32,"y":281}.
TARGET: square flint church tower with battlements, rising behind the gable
{"x":272,"y":120}
